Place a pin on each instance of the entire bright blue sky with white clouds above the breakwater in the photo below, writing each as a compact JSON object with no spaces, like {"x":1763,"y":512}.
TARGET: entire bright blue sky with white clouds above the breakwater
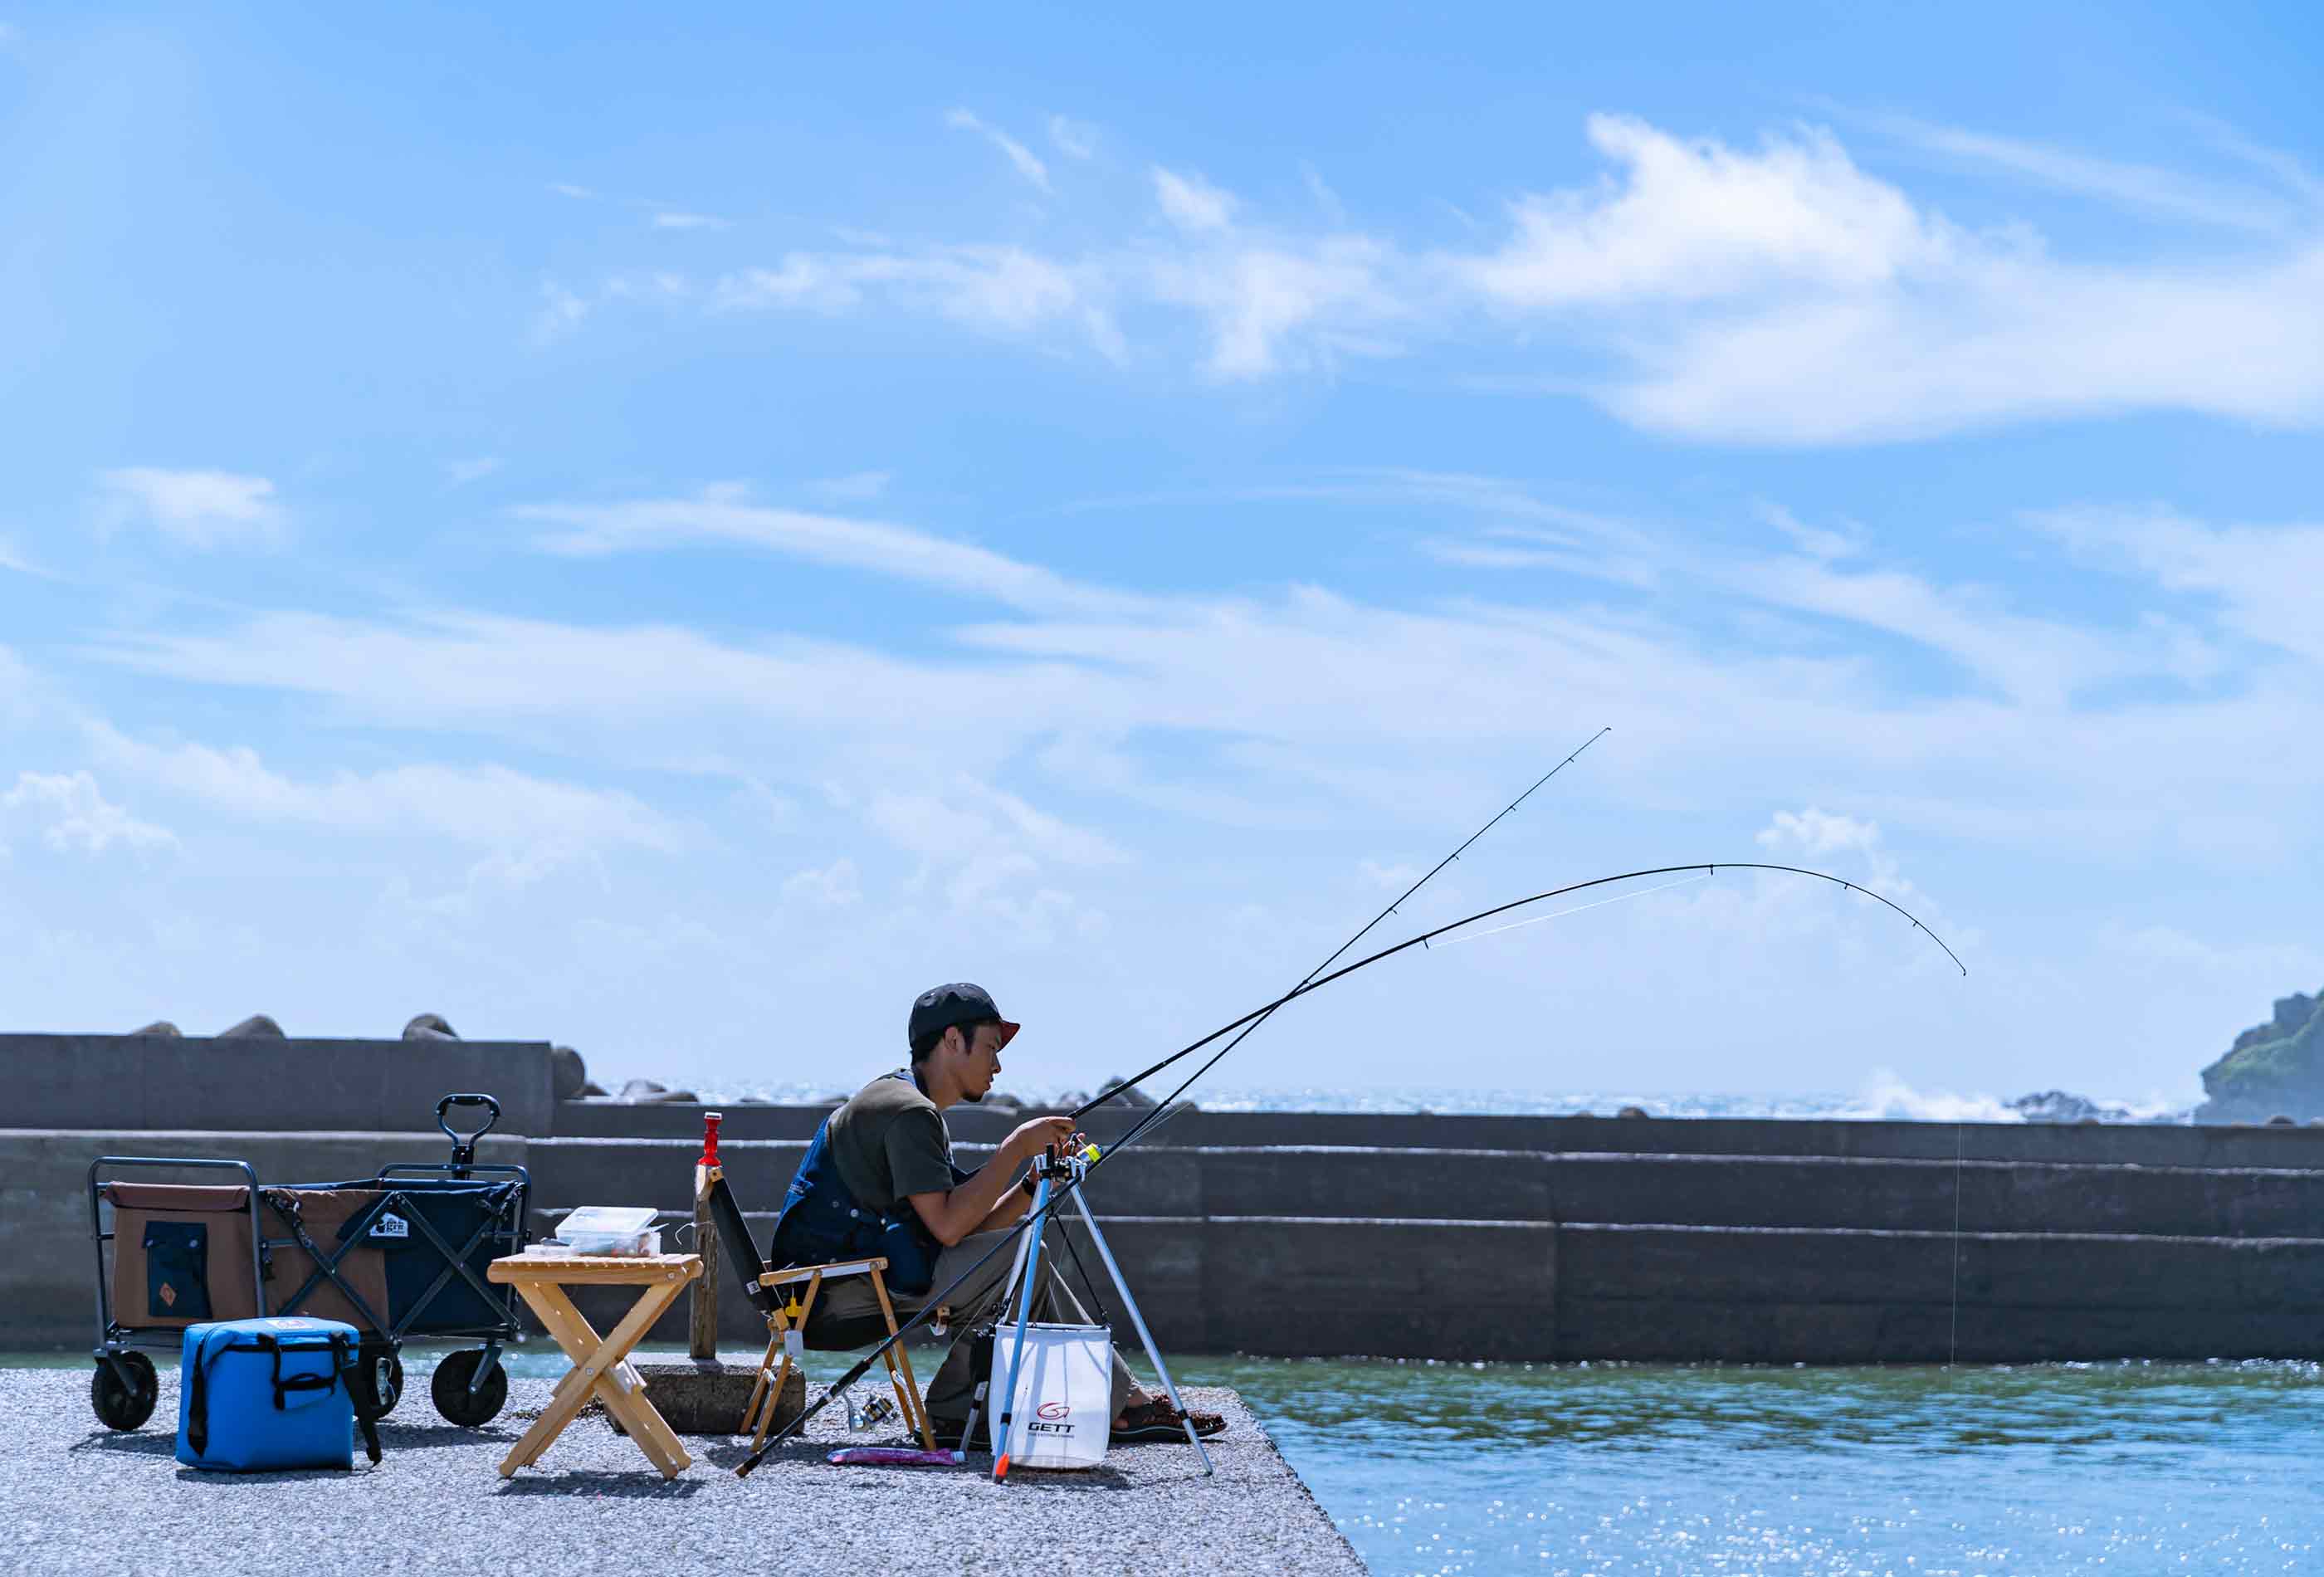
{"x":675,"y":540}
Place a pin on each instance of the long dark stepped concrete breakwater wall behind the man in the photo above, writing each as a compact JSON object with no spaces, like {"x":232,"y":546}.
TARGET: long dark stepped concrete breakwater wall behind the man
{"x":1472,"y":1237}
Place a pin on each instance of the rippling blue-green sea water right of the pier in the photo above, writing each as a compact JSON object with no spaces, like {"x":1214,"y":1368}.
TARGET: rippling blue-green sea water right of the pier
{"x":1626,"y":1469}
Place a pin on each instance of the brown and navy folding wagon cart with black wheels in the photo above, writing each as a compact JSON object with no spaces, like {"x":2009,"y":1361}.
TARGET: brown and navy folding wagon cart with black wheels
{"x":399,"y":1255}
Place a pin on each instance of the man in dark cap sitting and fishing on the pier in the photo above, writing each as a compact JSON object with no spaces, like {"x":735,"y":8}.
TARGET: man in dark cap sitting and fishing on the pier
{"x":882,"y":1181}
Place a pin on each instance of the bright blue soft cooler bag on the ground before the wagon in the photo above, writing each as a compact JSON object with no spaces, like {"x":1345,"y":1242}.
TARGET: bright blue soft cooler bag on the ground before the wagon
{"x":259,"y":1395}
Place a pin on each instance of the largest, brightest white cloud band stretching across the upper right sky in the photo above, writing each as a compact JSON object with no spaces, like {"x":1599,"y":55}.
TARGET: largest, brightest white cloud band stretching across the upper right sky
{"x":1770,"y":294}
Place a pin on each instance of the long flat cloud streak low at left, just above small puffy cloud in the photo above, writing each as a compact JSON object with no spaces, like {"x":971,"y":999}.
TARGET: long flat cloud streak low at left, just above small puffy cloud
{"x":471,"y":805}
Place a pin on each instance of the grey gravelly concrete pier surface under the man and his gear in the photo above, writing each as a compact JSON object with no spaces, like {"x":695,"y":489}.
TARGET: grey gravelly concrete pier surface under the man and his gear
{"x":83,"y":1499}
